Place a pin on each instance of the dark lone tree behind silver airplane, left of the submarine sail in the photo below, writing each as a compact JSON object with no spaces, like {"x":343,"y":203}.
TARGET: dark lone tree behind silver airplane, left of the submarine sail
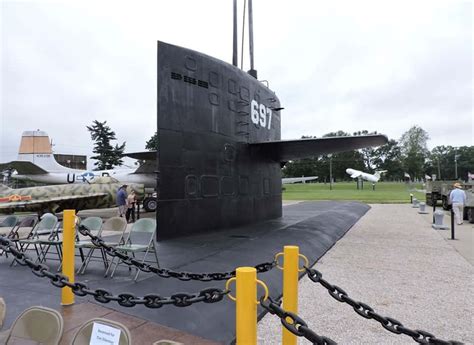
{"x":107,"y":156}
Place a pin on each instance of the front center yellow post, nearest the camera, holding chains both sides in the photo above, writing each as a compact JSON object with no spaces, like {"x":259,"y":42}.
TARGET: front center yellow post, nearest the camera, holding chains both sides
{"x":246,"y":306}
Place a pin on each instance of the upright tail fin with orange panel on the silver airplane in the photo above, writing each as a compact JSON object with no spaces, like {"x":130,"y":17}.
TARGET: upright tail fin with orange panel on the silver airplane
{"x":35,"y":147}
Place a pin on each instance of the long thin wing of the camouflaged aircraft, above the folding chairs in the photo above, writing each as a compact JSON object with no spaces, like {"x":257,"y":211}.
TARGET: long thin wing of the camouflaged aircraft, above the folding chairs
{"x":48,"y":203}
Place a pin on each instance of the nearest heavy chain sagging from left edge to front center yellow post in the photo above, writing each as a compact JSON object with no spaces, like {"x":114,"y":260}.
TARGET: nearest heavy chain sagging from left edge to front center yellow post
{"x":210,"y":295}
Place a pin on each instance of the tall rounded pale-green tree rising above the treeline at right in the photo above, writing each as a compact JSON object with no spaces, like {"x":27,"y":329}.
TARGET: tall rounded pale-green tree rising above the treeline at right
{"x":414,"y":151}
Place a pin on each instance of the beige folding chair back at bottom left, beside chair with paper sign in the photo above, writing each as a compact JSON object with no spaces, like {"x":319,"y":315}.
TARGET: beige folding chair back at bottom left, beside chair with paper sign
{"x":36,"y":325}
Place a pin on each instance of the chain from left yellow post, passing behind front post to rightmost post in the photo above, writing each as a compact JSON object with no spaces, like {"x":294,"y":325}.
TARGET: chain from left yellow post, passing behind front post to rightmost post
{"x":164,"y":272}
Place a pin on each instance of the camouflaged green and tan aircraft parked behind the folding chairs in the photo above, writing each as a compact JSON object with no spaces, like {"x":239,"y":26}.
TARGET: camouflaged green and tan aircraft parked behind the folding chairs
{"x":100,"y":193}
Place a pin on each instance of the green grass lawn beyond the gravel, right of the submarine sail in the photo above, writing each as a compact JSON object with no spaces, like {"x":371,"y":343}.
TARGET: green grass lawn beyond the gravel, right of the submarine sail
{"x":384,"y":193}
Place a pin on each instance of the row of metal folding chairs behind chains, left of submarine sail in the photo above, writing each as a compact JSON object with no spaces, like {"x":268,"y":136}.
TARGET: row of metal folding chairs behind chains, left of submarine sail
{"x":47,"y":234}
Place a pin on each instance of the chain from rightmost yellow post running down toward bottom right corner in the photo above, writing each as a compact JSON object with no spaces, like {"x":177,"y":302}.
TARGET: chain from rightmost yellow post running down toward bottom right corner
{"x":366,"y":311}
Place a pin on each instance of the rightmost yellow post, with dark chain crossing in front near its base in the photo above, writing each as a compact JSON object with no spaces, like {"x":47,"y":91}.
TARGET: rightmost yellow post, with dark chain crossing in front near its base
{"x":290,"y":288}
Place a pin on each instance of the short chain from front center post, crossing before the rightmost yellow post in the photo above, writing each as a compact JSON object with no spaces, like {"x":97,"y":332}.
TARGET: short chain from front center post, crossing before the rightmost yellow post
{"x":294,"y":323}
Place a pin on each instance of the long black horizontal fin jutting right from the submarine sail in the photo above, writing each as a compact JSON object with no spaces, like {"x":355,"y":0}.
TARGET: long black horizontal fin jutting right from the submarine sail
{"x":286,"y":150}
